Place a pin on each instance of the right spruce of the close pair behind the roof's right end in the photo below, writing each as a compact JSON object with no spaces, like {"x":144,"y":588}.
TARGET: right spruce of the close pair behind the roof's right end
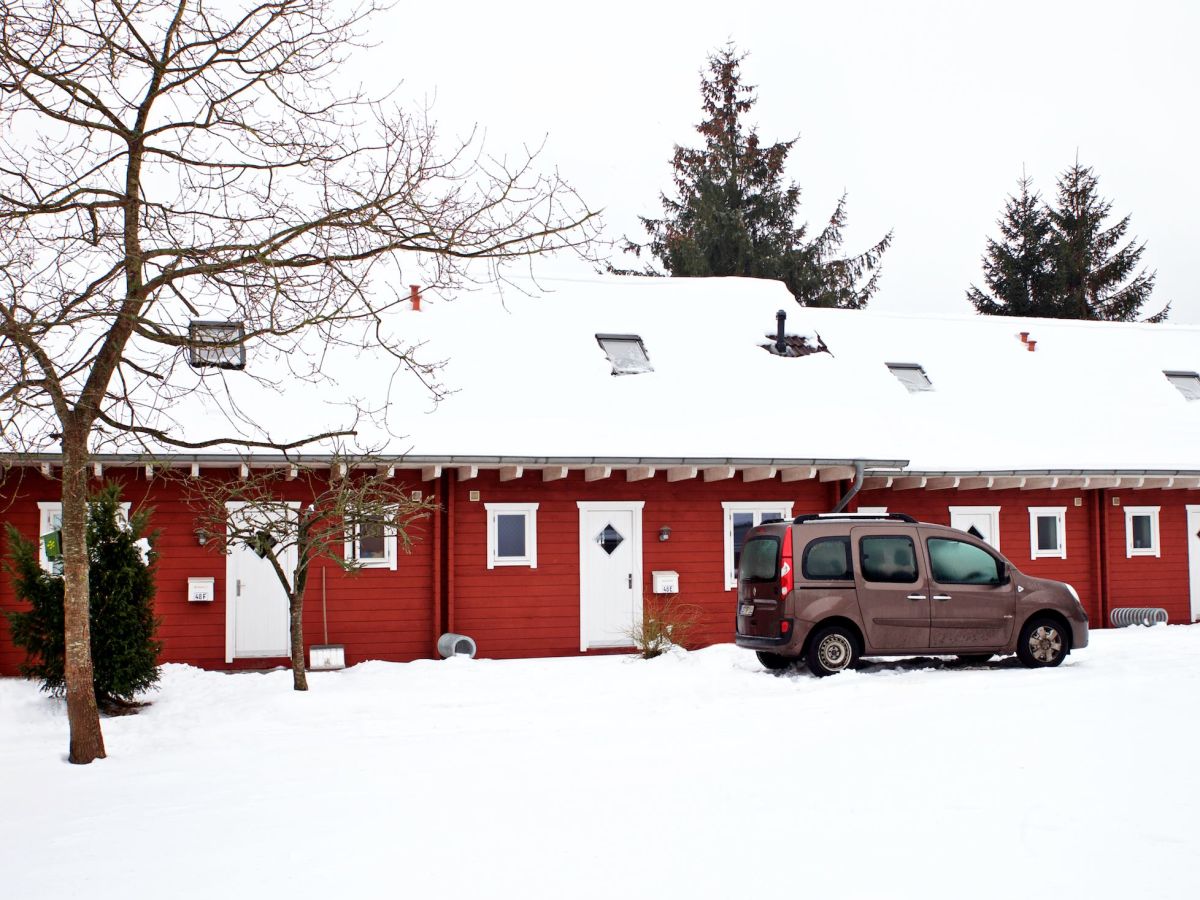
{"x":1091,"y":268}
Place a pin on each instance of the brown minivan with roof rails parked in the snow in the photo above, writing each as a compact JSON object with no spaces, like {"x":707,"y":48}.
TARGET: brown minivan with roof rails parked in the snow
{"x":833,"y":589}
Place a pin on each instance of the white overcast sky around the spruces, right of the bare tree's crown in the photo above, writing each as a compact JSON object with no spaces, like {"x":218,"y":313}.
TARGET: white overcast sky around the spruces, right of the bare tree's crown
{"x":925,"y":112}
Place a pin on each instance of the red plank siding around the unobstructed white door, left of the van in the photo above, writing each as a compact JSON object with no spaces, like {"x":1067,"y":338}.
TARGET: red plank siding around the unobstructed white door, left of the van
{"x":517,"y":611}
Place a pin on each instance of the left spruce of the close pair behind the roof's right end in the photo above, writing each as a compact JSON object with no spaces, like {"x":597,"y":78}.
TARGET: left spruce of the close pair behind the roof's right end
{"x":1019,"y":268}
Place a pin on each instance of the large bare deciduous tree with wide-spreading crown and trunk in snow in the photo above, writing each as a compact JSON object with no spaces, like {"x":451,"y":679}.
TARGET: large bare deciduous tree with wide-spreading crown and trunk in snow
{"x":165,"y":163}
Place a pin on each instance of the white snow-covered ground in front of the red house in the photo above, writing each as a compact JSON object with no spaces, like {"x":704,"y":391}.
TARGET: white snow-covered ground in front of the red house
{"x":698,"y":776}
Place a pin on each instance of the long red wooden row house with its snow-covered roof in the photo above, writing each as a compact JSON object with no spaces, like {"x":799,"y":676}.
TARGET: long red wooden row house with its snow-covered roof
{"x":627,"y":428}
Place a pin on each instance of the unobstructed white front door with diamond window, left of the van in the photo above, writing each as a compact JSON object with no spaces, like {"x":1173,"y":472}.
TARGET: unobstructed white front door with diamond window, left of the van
{"x":610,"y":573}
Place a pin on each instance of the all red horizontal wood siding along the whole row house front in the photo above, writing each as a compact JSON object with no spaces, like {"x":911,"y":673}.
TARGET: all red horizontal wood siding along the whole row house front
{"x":517,"y":611}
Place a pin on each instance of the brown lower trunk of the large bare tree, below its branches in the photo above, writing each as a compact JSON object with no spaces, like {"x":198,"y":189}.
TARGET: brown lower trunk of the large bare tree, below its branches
{"x":87,"y":741}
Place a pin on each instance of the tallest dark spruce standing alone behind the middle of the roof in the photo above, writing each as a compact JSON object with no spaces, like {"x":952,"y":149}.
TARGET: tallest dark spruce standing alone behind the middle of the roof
{"x":735,"y":214}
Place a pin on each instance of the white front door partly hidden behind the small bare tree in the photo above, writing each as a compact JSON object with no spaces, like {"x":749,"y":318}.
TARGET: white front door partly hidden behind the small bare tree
{"x":256,"y":604}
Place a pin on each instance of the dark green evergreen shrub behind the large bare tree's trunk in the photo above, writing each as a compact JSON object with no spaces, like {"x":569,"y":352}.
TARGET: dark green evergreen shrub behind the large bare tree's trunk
{"x":122,"y":584}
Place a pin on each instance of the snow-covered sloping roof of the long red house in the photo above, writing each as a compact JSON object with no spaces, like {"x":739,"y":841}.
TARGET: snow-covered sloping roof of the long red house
{"x":531,"y":381}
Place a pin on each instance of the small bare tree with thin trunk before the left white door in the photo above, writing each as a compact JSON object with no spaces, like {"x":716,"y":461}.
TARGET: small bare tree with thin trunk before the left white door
{"x":334,"y":506}
